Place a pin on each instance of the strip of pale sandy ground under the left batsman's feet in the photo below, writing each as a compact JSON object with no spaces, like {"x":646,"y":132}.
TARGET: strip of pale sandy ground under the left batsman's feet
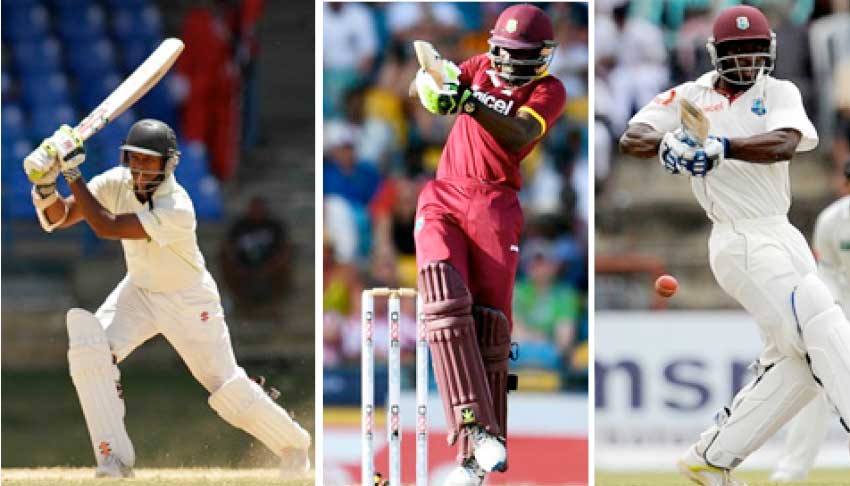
{"x":153,"y":477}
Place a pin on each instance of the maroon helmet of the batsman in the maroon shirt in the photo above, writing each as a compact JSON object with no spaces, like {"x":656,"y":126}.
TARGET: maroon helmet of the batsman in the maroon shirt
{"x":522,"y":44}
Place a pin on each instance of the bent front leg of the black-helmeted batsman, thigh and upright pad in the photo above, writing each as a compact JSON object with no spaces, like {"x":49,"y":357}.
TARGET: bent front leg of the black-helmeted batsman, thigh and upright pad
{"x":96,"y":344}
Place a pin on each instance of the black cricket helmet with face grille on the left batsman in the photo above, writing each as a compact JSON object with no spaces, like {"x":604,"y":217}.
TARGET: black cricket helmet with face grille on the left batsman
{"x":152,"y":137}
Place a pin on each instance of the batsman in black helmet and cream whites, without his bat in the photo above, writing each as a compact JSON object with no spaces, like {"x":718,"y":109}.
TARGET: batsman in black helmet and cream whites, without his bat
{"x":167,"y":290}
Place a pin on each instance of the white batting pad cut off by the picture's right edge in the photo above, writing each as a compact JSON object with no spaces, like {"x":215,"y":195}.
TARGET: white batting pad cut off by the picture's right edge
{"x":826,"y":334}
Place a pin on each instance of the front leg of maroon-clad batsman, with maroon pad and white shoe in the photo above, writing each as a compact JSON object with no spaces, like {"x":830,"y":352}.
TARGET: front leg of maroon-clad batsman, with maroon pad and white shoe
{"x":441,"y":254}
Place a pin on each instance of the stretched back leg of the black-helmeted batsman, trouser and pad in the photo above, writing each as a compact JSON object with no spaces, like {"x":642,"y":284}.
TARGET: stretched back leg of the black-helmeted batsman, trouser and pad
{"x":193,"y":322}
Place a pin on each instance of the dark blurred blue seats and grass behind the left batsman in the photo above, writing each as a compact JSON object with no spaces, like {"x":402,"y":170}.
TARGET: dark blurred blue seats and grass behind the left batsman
{"x":249,"y":168}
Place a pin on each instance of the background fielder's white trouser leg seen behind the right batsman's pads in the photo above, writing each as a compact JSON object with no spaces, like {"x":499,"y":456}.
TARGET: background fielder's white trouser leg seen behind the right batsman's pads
{"x":806,"y":435}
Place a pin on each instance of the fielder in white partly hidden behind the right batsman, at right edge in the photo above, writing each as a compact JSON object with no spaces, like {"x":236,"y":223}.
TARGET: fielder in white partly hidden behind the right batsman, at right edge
{"x":810,"y":427}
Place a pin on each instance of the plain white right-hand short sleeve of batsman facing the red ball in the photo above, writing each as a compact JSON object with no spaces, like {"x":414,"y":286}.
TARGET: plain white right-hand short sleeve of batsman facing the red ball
{"x":785,"y":110}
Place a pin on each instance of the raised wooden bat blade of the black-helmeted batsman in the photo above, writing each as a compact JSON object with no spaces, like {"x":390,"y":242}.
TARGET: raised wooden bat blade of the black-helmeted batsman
{"x":134,"y":87}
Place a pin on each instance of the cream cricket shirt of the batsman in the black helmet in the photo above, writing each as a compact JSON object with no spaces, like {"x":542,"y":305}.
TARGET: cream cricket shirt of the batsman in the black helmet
{"x":170,"y":259}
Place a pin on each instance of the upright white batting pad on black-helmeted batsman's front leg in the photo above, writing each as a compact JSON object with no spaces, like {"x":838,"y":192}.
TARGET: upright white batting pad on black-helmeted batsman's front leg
{"x":96,"y":378}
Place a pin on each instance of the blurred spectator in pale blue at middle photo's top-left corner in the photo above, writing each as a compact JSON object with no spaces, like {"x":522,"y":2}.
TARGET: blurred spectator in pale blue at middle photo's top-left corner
{"x":350,"y":49}
